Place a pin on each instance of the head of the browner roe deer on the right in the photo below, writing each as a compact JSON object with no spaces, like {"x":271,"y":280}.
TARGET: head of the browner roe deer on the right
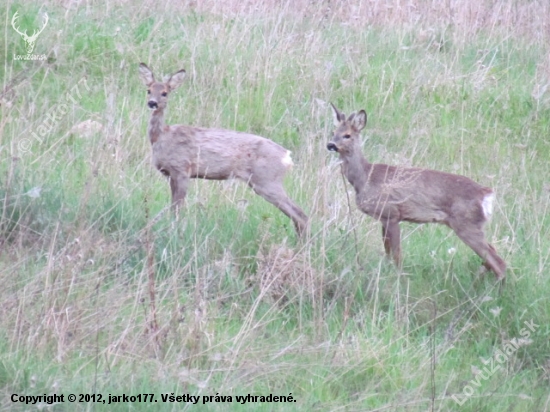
{"x":346,"y":137}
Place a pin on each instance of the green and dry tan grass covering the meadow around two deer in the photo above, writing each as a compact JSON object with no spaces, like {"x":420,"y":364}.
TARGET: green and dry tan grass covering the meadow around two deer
{"x":99,"y":296}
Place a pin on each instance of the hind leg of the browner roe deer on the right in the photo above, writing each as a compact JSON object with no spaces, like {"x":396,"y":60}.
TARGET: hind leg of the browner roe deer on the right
{"x":475,"y":238}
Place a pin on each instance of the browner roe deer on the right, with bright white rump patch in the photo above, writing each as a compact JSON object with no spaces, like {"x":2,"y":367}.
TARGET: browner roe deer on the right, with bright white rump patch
{"x":393,"y":194}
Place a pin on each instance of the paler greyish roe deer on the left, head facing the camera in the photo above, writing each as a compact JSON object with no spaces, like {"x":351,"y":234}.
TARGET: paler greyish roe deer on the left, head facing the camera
{"x":186,"y":152}
